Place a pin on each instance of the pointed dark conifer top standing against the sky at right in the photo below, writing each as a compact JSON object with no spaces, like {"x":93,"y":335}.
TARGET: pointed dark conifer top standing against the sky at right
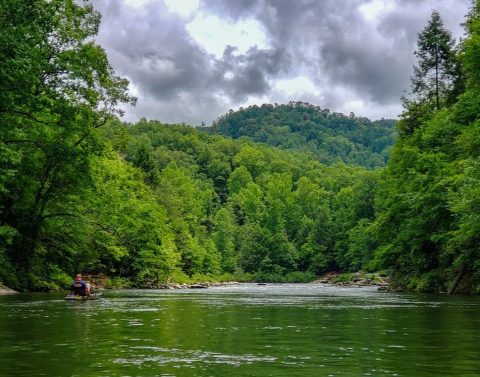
{"x":437,"y":70}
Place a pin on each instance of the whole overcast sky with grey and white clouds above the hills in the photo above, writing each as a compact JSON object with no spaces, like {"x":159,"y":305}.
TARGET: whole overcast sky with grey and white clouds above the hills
{"x":191,"y":61}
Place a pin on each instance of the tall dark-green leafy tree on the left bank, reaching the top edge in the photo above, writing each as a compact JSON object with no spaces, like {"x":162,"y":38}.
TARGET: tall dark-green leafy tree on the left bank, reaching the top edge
{"x":56,"y":89}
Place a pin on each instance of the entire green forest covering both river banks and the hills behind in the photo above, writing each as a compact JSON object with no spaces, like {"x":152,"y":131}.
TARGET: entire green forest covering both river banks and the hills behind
{"x":151,"y":203}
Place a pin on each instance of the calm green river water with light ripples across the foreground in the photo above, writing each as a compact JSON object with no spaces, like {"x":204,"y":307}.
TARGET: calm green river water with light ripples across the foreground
{"x":245,"y":330}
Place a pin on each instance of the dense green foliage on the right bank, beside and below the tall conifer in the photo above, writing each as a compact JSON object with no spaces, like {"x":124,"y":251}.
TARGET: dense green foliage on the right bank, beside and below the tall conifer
{"x":427,"y":224}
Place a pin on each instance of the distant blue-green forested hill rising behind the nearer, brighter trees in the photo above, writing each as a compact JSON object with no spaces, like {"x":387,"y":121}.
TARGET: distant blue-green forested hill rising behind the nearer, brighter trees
{"x":332,"y":137}
